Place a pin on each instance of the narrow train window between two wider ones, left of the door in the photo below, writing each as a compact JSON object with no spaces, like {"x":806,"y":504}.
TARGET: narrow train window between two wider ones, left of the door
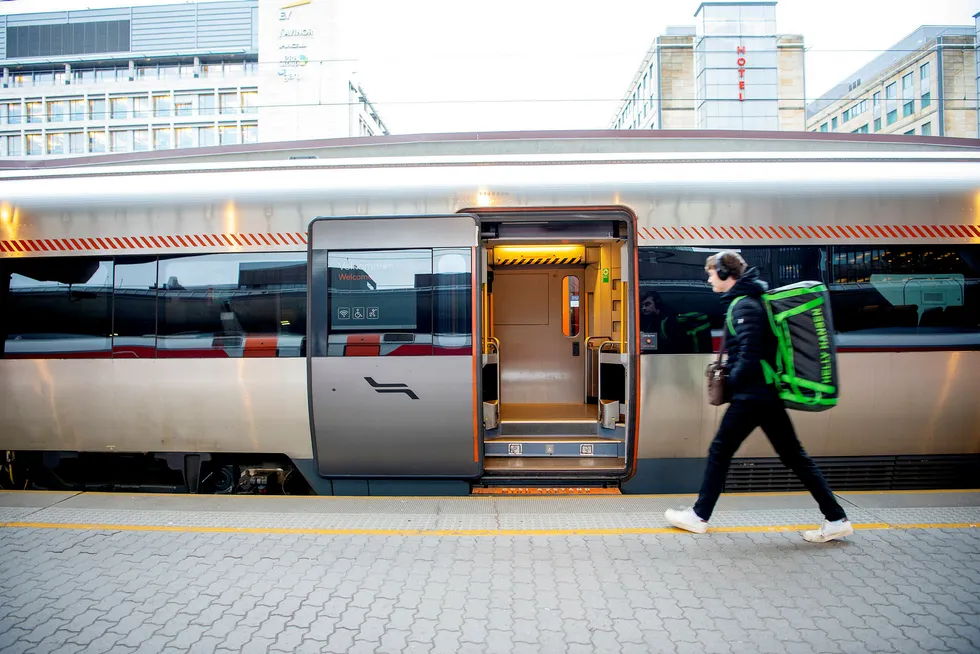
{"x":134,"y":319}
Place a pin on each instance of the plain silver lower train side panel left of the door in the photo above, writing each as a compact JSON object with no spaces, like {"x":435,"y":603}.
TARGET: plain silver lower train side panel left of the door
{"x":155,"y":405}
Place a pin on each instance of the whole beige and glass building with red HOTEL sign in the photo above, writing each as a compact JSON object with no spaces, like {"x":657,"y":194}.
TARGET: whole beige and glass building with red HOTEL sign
{"x":732,"y":70}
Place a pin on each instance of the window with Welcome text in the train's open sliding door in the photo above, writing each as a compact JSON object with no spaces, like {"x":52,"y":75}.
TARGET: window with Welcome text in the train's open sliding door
{"x":399,"y":302}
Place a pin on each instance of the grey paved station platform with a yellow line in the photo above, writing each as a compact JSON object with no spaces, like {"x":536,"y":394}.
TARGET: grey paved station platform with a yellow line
{"x":113,"y":572}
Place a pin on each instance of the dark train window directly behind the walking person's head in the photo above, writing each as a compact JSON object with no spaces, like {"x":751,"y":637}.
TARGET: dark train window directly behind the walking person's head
{"x":676,"y":301}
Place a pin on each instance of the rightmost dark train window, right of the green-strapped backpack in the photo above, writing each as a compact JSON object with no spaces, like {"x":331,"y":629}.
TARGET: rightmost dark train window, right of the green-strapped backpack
{"x":906,"y":295}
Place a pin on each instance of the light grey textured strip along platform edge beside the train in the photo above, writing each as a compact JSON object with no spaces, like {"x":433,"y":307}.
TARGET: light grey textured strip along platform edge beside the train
{"x":467,"y":514}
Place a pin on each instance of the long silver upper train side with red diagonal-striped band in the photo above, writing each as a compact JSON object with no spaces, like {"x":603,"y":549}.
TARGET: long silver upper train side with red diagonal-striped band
{"x":676,"y":203}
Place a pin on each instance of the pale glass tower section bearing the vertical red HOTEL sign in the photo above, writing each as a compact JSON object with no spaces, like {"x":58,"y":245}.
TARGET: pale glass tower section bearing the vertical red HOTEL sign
{"x":735,"y":59}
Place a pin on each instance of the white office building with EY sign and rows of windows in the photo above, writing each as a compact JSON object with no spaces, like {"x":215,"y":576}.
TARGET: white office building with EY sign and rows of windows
{"x":164,"y":76}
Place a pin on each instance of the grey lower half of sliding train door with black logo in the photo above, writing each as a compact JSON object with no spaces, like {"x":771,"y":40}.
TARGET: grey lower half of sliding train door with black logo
{"x":395,"y":416}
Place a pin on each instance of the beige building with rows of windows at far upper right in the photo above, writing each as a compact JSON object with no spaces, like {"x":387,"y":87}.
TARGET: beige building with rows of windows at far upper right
{"x":925,"y":85}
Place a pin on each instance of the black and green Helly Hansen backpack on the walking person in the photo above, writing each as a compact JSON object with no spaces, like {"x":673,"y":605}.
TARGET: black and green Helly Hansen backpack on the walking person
{"x":806,"y":356}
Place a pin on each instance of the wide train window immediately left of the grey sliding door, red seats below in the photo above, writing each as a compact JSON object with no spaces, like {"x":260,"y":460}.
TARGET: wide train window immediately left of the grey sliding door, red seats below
{"x":231,"y":305}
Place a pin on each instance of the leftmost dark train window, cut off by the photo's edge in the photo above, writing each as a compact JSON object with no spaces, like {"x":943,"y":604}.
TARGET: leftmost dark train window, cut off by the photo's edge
{"x":56,"y":308}
